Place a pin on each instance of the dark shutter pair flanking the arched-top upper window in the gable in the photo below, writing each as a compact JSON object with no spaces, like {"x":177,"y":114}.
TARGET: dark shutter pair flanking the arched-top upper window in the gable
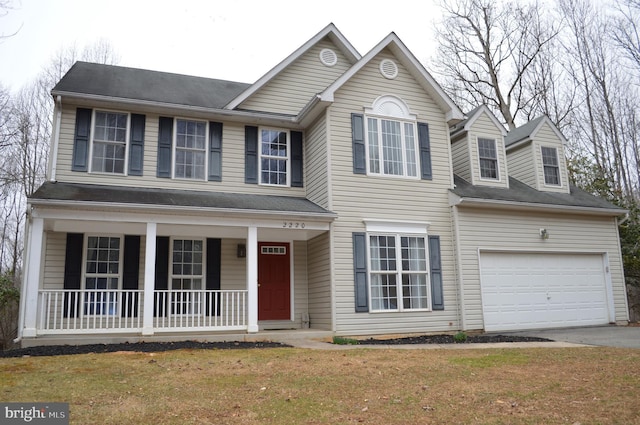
{"x":359,"y":151}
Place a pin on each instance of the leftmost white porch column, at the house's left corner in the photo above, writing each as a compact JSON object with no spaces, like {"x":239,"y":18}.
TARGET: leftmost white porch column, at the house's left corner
{"x":32,"y":278}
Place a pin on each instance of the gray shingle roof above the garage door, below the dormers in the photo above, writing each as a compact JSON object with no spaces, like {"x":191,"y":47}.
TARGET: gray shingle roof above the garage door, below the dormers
{"x":520,"y":192}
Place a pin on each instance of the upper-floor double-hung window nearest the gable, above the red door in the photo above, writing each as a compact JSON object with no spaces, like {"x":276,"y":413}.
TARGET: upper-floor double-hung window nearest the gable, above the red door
{"x":274,"y":157}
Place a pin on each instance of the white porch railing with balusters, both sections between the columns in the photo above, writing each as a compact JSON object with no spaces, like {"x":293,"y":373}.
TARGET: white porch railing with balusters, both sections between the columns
{"x":112,"y":311}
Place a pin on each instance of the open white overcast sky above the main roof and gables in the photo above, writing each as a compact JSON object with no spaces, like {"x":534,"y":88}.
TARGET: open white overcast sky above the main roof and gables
{"x":238,"y":40}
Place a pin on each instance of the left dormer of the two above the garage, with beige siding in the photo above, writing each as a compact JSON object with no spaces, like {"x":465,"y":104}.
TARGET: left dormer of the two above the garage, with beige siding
{"x":478,"y":150}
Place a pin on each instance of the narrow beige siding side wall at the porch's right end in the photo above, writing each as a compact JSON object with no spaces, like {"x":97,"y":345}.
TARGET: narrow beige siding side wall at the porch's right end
{"x":319,"y":264}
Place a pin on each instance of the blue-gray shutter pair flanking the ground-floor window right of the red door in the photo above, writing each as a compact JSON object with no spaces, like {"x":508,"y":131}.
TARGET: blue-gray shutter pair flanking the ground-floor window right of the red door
{"x":360,"y":272}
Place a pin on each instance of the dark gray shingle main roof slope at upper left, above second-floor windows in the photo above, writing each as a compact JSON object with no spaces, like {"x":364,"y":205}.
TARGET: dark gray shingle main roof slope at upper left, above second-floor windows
{"x":142,"y":84}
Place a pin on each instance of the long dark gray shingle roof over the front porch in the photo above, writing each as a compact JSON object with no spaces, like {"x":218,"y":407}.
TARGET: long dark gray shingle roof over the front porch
{"x":176,"y":198}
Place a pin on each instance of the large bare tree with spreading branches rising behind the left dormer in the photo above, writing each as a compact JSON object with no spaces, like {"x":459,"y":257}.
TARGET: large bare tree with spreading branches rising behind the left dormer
{"x":487,"y":50}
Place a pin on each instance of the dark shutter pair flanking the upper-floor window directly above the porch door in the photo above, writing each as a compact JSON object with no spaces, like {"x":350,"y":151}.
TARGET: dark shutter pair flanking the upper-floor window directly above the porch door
{"x":251,"y":156}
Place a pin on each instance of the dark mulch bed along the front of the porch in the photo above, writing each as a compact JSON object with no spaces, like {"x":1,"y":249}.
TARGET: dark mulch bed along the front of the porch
{"x":145,"y":347}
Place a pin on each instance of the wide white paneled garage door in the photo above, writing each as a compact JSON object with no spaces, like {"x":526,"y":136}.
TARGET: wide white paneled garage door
{"x":531,"y":291}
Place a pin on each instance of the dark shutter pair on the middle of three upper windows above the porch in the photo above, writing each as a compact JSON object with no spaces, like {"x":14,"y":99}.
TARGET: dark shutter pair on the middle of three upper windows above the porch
{"x":165,"y":148}
